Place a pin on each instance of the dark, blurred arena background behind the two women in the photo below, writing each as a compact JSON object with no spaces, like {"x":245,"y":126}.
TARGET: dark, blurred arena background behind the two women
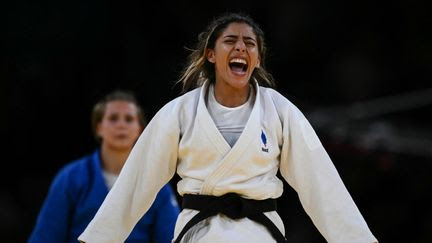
{"x":359,"y":70}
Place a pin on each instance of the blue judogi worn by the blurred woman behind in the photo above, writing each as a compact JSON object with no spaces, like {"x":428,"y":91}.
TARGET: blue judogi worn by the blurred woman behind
{"x":76,"y":194}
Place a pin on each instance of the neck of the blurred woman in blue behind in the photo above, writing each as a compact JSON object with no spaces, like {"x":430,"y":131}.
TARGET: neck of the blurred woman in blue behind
{"x":113,"y":160}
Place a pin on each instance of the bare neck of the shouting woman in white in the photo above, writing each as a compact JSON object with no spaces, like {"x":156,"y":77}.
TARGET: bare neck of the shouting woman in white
{"x":231,"y":97}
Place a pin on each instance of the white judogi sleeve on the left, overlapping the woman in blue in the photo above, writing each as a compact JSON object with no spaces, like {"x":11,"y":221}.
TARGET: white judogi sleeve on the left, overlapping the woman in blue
{"x":150,"y":165}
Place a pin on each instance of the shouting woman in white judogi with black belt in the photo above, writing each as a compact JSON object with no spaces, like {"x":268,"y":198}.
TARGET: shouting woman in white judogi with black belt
{"x":227,"y":137}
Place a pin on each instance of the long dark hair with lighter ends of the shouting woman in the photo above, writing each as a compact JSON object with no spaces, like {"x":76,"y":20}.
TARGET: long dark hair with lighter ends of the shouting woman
{"x":200,"y":69}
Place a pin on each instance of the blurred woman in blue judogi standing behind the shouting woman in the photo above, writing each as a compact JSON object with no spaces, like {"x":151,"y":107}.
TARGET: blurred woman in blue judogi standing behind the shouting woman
{"x":80,"y":187}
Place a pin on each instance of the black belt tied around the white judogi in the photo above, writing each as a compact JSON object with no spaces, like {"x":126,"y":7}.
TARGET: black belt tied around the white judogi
{"x":233,"y":206}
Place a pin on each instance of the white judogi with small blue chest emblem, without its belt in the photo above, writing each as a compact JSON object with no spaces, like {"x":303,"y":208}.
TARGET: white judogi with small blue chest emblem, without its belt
{"x":182,"y":136}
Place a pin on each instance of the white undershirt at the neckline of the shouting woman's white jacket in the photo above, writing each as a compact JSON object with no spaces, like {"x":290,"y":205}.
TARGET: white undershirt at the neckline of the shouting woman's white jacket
{"x":230,"y":121}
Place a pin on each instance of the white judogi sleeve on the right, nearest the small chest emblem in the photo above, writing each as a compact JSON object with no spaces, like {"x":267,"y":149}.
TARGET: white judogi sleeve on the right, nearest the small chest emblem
{"x":306,"y":166}
